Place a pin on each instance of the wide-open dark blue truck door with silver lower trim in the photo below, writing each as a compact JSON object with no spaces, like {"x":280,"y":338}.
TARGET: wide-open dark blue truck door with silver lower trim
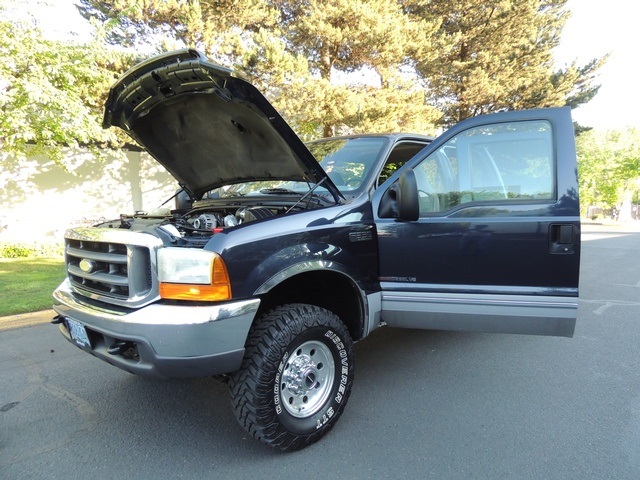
{"x":496,"y":245}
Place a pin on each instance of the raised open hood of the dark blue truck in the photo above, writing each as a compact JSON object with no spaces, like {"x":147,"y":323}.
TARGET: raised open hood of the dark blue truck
{"x":206,"y":126}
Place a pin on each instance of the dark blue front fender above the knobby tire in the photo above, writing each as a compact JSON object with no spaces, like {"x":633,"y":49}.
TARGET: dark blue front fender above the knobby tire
{"x":341,"y":238}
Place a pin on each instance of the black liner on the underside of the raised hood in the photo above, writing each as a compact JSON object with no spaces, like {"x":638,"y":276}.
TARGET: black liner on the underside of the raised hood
{"x":202,"y":149}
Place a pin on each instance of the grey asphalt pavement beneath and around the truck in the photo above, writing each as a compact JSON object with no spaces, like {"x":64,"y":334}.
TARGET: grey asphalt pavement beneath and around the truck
{"x":424,"y":404}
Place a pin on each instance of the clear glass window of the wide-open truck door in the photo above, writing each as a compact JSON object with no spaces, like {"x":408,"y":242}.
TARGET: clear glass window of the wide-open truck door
{"x":493,"y":163}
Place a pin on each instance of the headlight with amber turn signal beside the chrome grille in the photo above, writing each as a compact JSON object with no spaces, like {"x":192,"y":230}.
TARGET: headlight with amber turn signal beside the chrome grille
{"x":189,"y":274}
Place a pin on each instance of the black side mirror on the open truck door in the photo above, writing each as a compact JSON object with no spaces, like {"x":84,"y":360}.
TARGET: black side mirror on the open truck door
{"x":401,"y":200}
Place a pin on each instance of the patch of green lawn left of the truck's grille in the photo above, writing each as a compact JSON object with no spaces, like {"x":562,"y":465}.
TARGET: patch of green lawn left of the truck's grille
{"x":26,"y":284}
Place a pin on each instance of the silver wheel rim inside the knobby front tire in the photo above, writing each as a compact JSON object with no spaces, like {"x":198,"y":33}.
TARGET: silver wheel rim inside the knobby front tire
{"x":307,"y":379}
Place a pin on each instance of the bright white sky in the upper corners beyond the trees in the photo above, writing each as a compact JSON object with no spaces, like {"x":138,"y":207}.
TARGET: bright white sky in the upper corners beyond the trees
{"x":596,"y":28}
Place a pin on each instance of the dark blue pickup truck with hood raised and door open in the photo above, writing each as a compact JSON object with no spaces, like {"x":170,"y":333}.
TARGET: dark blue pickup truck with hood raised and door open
{"x":280,"y":255}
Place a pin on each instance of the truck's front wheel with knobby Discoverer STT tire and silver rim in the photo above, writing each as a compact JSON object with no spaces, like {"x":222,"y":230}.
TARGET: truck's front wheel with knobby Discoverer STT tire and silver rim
{"x":295,"y":378}
